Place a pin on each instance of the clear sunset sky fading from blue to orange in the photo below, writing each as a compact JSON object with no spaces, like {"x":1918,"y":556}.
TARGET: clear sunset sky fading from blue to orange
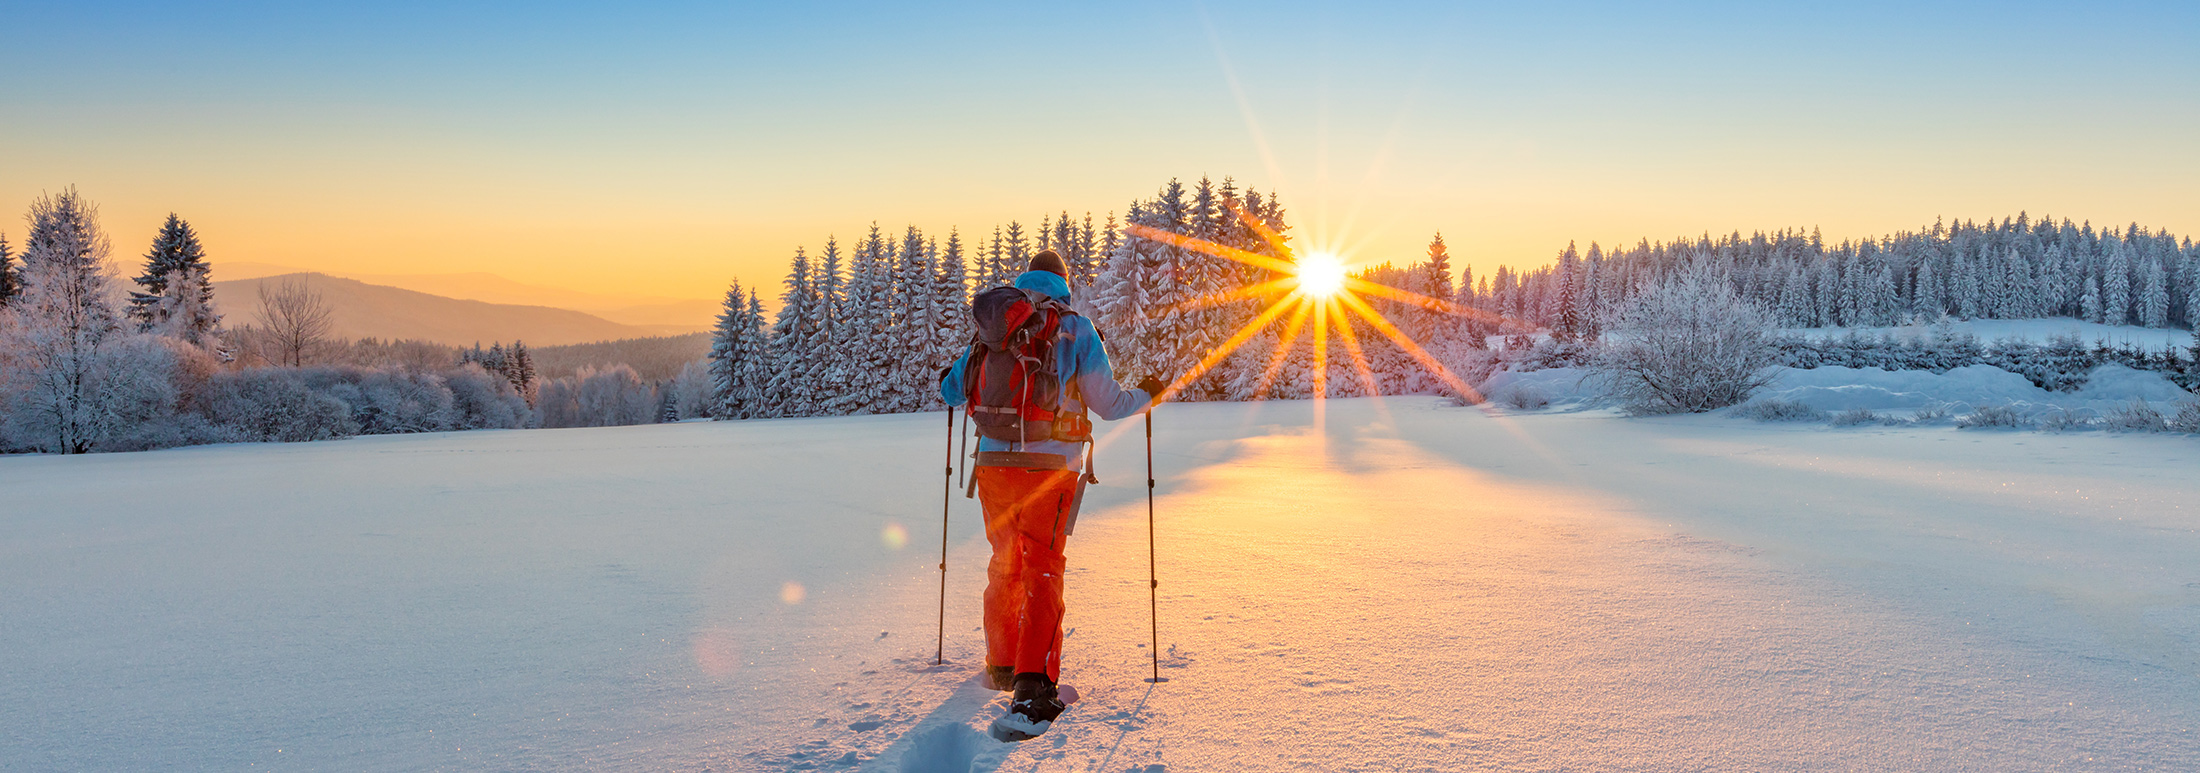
{"x":670,"y":149}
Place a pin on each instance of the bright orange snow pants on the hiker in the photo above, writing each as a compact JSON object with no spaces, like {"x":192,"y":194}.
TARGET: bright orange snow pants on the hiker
{"x":1028,"y":523}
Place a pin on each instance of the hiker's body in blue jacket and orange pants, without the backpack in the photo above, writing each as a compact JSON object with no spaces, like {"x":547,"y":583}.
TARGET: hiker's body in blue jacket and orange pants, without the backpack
{"x":1031,"y":488}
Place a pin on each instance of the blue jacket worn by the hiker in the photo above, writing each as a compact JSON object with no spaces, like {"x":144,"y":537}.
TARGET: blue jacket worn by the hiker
{"x":1081,"y":360}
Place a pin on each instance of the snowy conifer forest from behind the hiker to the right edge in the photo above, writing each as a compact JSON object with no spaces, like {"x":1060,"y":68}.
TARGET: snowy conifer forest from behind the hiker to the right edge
{"x":868,"y":329}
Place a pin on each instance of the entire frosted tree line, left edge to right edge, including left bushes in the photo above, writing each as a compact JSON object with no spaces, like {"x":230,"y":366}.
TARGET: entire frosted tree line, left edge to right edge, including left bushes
{"x":866,"y":327}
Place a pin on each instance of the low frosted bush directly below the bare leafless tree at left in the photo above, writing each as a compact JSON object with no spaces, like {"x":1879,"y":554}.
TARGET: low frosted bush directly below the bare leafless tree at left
{"x":274,"y":406}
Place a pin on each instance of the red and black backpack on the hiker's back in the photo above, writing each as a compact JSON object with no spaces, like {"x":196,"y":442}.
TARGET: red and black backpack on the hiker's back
{"x":1013,"y":380}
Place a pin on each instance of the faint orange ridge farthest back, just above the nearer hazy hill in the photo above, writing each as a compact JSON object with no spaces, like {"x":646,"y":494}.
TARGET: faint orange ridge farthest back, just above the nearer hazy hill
{"x":652,"y":312}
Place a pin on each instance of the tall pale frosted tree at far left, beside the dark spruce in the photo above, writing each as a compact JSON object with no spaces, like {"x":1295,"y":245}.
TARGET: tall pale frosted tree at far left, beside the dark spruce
{"x":54,"y":329}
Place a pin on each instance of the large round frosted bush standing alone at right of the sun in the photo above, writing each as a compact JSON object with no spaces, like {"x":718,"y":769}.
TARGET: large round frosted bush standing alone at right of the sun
{"x":1688,"y":347}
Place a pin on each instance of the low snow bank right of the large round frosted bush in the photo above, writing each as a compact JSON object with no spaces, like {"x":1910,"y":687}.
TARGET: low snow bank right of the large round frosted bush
{"x":1966,"y":389}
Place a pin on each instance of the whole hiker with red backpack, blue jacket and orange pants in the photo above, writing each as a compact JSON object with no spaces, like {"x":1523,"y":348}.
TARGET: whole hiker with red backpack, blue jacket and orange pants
{"x":1028,"y":477}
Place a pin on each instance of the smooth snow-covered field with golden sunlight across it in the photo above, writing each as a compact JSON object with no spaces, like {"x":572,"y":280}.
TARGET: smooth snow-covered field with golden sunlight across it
{"x":1356,"y":587}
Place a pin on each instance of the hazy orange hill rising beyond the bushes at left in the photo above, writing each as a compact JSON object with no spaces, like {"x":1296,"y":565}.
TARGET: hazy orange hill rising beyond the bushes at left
{"x":360,"y":309}
